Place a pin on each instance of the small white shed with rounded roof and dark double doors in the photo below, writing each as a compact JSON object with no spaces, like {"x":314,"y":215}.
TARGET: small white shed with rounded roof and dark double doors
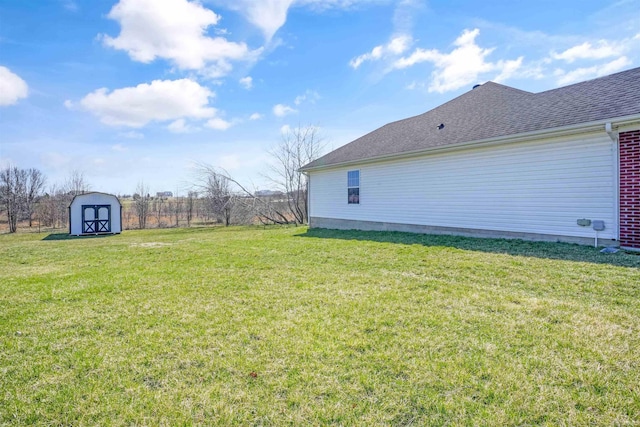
{"x":95,"y":213}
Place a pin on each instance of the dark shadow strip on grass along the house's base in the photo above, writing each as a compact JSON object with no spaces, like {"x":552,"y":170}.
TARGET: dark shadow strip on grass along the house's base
{"x":516,"y":247}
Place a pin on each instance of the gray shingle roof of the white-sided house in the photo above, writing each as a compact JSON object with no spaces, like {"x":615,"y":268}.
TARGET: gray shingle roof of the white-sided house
{"x":494,"y":110}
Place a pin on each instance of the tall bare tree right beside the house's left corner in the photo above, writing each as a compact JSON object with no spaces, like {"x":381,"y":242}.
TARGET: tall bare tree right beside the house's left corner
{"x":298,"y":147}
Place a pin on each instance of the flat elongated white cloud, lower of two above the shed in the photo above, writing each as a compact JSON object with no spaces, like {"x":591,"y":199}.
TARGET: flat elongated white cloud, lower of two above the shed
{"x":161,"y":100}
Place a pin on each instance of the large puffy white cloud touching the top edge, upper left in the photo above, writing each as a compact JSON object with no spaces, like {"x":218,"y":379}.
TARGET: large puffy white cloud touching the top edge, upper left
{"x":174,"y":30}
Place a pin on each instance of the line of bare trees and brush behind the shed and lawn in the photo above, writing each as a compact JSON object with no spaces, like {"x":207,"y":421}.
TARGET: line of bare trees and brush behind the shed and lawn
{"x":214,"y":196}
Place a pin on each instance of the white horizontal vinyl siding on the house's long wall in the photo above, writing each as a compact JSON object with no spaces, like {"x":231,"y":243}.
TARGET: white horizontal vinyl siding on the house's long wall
{"x":538,"y":187}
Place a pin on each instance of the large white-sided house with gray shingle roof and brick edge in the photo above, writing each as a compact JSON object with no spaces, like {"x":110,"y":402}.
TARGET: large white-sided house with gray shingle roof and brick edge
{"x":560,"y":165}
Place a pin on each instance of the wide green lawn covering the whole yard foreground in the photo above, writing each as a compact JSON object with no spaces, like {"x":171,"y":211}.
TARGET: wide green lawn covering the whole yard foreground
{"x":289,"y":326}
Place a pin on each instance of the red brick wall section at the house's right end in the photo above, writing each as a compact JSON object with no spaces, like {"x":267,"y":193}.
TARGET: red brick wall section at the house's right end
{"x":630,"y":189}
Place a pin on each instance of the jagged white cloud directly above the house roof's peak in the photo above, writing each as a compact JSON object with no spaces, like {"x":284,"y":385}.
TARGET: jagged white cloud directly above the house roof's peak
{"x":460,"y":67}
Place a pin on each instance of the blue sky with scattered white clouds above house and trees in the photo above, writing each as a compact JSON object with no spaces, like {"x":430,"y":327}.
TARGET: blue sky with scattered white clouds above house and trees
{"x":143,"y":90}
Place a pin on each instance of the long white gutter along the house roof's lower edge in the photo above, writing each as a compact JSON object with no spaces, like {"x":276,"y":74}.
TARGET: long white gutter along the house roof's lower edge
{"x":588,"y":127}
